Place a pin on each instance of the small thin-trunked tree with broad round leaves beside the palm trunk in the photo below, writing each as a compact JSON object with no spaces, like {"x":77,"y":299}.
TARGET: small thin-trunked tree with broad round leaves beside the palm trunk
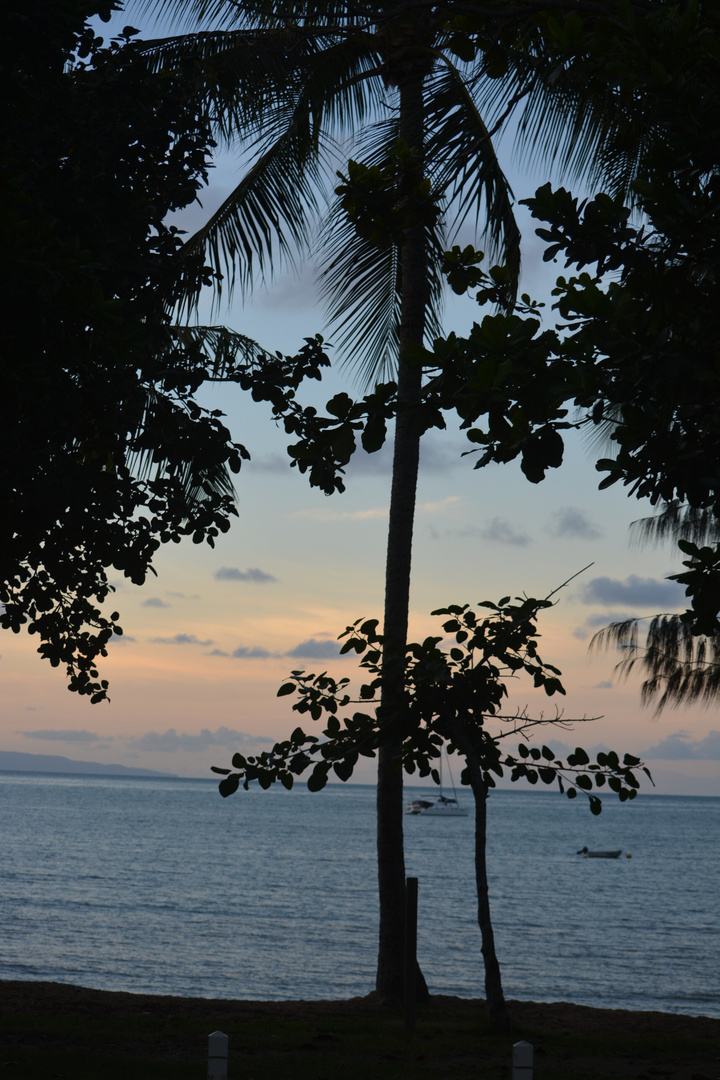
{"x":454,"y":695}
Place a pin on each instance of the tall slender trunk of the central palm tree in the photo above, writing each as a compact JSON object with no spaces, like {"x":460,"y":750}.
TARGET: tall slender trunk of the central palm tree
{"x":391,"y":857}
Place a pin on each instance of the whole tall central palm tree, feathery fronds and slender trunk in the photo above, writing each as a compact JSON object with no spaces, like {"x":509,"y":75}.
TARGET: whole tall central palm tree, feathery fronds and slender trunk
{"x":291,"y":84}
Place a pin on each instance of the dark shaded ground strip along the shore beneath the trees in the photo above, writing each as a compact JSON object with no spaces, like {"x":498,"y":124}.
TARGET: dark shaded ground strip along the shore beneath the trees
{"x":48,"y":1030}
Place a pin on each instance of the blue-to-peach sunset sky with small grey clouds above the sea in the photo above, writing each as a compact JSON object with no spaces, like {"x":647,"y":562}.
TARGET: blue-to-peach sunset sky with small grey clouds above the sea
{"x":209,"y":641}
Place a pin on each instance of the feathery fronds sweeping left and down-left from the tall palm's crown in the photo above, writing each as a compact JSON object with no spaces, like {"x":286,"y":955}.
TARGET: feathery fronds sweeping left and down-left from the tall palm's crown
{"x":279,"y":99}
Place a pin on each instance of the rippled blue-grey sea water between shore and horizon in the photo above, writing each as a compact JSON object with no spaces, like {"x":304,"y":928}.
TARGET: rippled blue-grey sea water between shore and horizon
{"x":160,"y":886}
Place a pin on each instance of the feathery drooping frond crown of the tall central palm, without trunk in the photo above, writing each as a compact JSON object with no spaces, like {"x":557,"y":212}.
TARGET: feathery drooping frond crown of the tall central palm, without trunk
{"x":290,"y":82}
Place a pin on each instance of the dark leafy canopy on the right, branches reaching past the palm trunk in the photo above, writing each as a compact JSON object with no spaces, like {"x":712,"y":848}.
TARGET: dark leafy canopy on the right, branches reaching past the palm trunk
{"x":636,"y":353}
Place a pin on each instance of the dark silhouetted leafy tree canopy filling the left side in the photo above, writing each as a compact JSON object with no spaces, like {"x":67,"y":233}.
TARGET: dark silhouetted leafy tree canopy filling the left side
{"x":104,"y":452}
